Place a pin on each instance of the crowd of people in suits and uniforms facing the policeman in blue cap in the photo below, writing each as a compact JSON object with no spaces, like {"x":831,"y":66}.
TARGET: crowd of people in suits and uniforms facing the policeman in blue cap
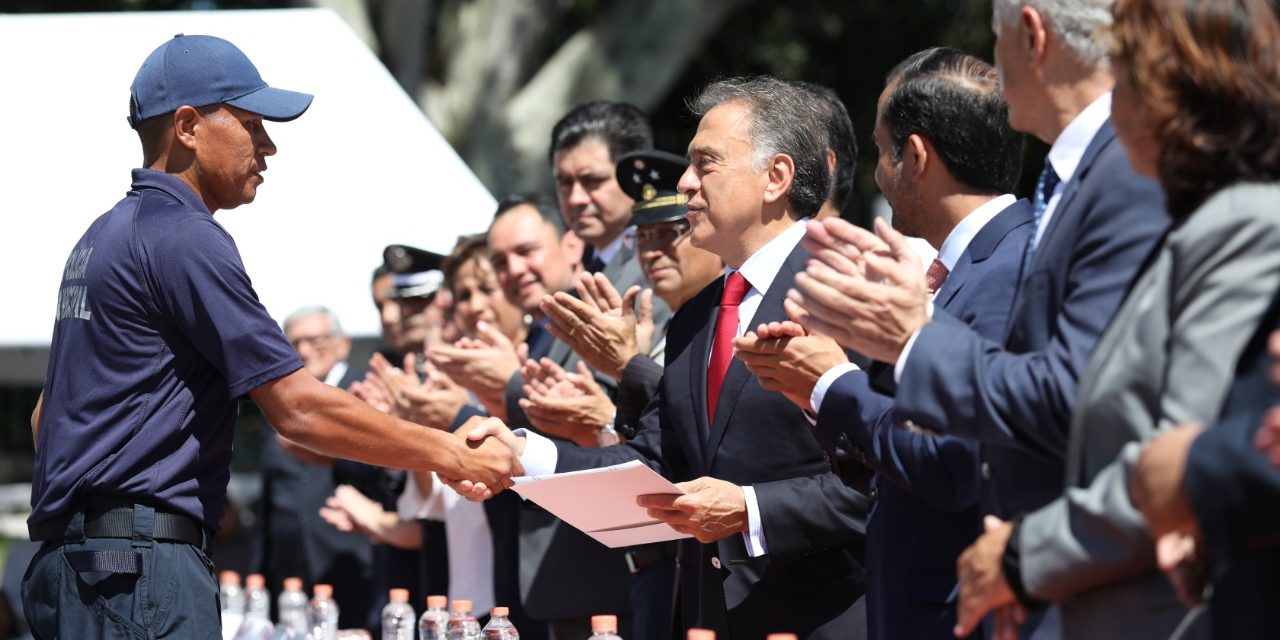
{"x":1057,"y":423}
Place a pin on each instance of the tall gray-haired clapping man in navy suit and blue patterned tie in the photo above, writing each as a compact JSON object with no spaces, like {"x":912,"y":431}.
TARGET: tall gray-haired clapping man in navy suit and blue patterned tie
{"x":1096,"y":222}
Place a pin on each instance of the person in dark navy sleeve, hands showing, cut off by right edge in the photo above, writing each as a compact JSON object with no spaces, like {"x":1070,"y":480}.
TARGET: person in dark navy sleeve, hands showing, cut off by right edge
{"x":1210,"y":497}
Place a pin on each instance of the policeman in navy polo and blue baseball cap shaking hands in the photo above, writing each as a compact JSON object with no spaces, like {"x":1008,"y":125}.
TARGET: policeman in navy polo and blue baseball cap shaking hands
{"x":158,"y":333}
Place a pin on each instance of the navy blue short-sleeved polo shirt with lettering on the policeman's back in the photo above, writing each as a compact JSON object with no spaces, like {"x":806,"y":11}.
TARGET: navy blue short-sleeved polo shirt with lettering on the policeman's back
{"x":158,"y":333}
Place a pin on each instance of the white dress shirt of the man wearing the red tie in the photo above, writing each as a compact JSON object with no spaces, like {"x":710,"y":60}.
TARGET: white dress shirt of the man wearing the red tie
{"x":760,"y":271}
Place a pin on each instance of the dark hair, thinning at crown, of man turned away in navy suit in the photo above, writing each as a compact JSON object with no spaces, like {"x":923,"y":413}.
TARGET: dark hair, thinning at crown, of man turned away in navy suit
{"x":954,"y":100}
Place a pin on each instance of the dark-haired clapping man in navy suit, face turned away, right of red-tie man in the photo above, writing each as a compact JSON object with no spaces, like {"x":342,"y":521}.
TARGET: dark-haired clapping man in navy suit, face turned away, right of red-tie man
{"x":948,"y":161}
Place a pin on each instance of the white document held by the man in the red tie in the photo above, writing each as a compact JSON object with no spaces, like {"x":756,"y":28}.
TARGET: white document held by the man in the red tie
{"x":602,"y":502}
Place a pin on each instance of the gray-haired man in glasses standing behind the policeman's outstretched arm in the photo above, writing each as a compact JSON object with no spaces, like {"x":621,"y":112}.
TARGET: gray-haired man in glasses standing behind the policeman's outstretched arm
{"x":296,"y":483}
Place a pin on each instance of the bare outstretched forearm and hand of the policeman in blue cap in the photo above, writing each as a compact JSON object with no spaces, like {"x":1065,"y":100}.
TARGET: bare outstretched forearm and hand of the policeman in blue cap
{"x":335,"y":423}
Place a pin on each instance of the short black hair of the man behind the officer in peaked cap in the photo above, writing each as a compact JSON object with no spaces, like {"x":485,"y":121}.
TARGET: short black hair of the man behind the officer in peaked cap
{"x":623,"y":127}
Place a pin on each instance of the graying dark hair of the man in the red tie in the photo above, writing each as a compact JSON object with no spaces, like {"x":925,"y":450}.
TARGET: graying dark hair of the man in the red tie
{"x":785,"y":120}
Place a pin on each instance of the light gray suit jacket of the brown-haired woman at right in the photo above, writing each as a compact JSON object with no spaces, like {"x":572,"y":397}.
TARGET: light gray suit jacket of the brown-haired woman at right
{"x":1165,"y":359}
